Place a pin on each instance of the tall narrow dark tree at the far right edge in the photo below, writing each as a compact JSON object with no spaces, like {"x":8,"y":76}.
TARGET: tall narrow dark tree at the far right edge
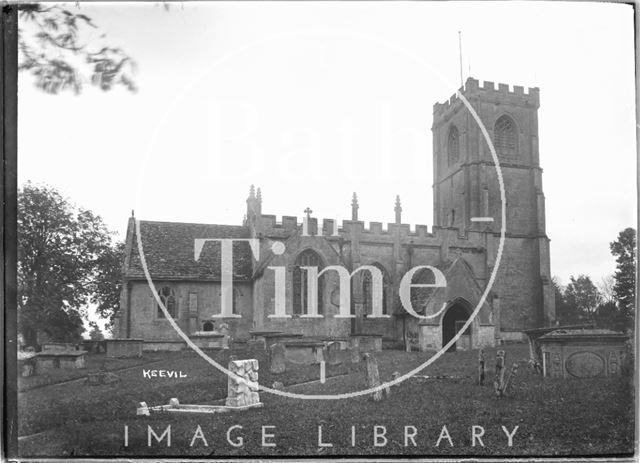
{"x":624,"y":288}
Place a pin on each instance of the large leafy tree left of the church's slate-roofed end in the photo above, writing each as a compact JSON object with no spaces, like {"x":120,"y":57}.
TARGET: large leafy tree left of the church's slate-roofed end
{"x":61,"y":251}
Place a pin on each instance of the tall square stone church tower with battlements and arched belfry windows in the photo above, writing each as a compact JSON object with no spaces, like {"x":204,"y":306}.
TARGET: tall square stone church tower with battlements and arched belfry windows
{"x":466,"y":186}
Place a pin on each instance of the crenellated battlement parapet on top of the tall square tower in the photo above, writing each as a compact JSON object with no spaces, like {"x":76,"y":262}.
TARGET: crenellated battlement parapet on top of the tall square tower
{"x":473,"y":88}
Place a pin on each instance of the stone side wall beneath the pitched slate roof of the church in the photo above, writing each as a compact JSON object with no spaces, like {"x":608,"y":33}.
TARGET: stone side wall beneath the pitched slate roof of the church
{"x":196,"y":302}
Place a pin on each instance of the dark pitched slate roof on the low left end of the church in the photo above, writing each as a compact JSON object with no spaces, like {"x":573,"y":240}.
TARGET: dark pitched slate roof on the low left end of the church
{"x":169,"y":251}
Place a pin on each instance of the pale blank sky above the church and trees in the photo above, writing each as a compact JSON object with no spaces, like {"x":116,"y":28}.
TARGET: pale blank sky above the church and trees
{"x":313,"y":101}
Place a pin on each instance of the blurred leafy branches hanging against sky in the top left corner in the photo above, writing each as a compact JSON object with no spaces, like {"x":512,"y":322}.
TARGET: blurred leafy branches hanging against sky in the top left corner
{"x":59,"y":48}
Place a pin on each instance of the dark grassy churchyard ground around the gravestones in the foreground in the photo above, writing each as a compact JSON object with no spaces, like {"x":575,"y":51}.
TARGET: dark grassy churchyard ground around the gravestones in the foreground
{"x":554,"y":417}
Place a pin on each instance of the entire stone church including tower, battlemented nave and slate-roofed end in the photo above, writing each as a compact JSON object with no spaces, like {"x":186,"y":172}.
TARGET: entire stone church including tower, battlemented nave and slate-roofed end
{"x":462,"y":244}
